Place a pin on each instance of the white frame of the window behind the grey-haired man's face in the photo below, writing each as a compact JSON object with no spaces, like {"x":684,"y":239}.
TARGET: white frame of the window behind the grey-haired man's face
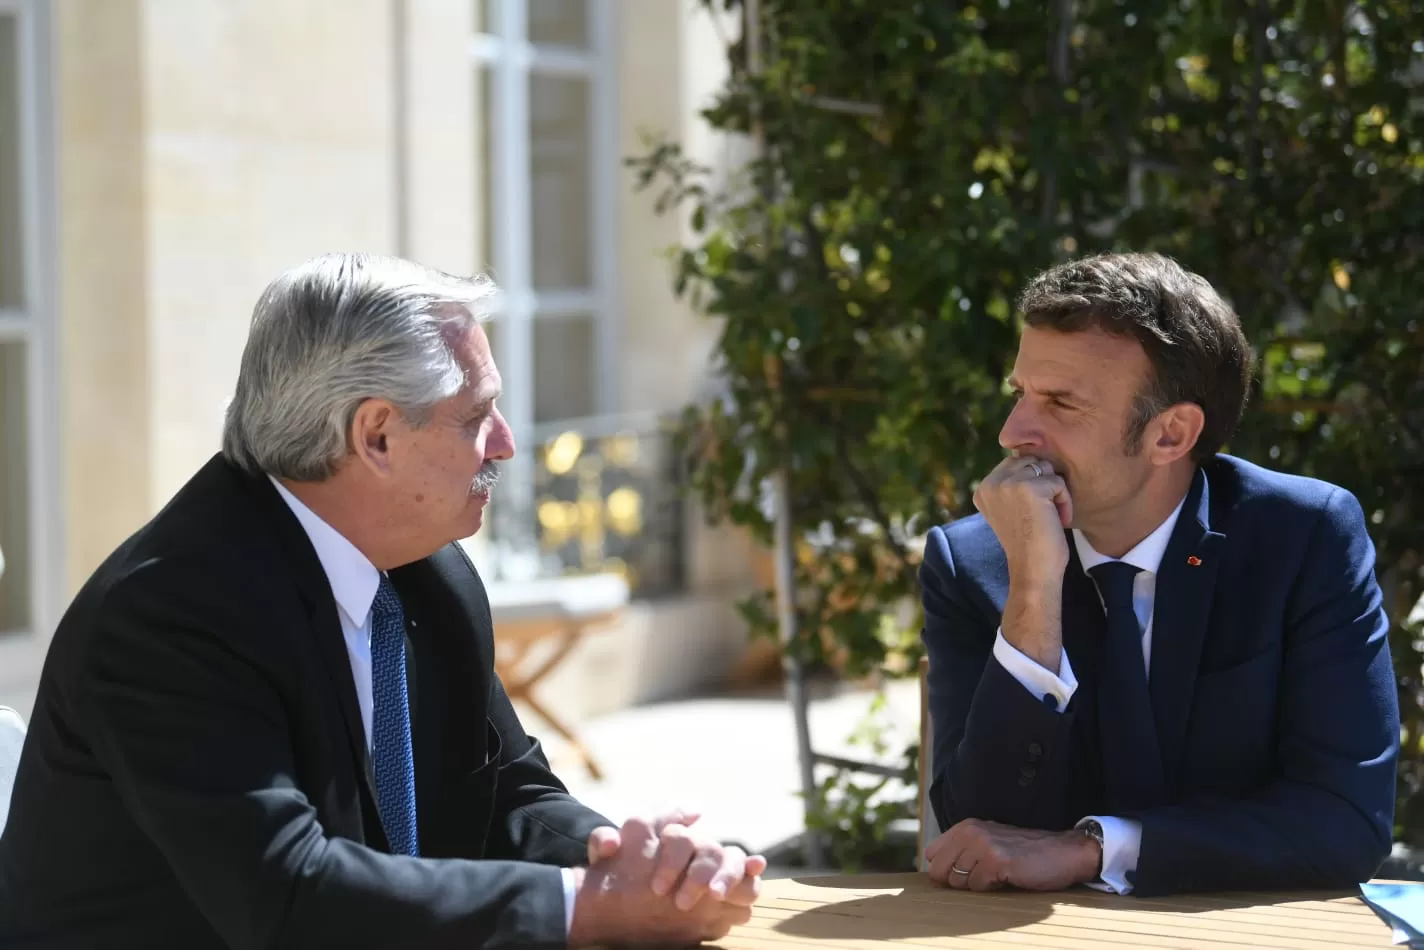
{"x":511,"y":59}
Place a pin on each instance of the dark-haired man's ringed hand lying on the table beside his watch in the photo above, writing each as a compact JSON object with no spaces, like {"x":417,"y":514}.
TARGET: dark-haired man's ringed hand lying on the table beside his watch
{"x":980,"y":855}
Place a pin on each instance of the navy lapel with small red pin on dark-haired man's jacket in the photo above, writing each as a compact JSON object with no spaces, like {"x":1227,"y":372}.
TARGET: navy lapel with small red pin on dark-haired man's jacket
{"x":1183,"y":607}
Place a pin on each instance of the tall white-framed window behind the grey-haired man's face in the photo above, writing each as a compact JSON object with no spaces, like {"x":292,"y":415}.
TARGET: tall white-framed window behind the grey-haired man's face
{"x":548,"y":186}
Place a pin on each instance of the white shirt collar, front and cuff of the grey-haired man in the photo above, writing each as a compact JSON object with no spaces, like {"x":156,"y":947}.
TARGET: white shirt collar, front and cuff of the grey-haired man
{"x":354,"y":582}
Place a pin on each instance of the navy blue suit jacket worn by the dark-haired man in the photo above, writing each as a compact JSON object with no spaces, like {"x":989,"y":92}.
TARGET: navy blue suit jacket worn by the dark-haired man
{"x":1272,"y":691}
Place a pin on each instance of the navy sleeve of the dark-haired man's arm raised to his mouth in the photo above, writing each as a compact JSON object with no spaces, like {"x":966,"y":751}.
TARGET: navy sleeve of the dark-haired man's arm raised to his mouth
{"x":999,"y":753}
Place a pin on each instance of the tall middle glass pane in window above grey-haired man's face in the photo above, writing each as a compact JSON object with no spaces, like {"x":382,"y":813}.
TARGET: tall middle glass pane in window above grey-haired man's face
{"x":560,"y":183}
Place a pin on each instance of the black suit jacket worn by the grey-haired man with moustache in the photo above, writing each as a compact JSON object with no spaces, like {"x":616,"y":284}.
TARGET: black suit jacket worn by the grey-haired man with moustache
{"x":196,"y":774}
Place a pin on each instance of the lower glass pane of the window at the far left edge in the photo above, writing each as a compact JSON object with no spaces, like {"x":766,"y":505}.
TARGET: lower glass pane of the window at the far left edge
{"x":15,"y":492}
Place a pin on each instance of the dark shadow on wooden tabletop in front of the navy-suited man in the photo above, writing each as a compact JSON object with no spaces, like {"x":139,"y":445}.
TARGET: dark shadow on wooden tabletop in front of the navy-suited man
{"x":923,"y":911}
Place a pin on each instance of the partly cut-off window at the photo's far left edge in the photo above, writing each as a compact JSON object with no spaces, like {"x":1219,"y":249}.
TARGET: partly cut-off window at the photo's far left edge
{"x":26,"y":438}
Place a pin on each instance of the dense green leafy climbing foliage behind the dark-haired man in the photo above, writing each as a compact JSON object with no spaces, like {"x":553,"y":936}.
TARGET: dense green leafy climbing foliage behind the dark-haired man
{"x":923,"y":160}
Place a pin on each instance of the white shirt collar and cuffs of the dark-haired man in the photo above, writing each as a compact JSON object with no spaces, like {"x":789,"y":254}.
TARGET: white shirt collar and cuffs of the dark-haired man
{"x":1121,"y":838}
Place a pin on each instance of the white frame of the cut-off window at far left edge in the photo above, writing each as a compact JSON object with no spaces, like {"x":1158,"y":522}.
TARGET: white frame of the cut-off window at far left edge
{"x":33,"y":324}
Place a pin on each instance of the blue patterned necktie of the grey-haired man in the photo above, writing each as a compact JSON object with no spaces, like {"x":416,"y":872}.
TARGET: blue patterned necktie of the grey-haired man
{"x":391,"y":751}
